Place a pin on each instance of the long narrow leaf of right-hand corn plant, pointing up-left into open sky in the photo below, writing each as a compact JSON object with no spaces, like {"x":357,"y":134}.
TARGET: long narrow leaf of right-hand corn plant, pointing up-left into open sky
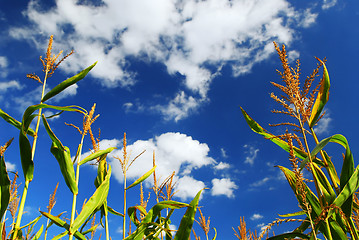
{"x":258,"y":129}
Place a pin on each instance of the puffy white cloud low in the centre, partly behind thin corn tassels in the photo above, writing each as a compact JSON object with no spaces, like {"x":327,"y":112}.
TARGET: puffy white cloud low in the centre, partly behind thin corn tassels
{"x":173,"y":152}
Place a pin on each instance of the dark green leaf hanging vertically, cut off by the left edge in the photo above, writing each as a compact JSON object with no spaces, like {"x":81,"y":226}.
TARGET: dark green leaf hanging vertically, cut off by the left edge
{"x":4,"y":188}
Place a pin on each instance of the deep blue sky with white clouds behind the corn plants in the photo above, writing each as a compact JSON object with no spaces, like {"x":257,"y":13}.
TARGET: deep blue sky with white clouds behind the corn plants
{"x":172,"y":75}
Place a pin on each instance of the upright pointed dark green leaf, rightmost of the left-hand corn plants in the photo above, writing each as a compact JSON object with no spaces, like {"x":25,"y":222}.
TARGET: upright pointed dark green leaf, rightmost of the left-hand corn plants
{"x":184,"y":230}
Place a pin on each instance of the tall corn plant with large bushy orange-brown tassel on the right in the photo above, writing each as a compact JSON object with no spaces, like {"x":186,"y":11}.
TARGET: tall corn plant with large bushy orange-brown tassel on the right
{"x":328,"y":207}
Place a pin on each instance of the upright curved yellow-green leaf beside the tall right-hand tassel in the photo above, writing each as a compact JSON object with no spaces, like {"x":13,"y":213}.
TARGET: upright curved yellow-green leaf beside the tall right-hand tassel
{"x":322,"y":97}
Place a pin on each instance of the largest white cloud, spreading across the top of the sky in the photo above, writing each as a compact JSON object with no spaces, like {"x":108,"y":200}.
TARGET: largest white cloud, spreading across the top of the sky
{"x":192,"y":38}
